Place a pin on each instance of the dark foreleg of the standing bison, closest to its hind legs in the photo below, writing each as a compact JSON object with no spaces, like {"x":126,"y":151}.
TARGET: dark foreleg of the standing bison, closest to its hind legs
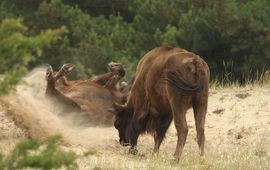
{"x":162,"y":127}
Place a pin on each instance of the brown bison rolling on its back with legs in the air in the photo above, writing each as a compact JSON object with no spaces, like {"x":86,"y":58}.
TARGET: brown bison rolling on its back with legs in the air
{"x":91,"y":96}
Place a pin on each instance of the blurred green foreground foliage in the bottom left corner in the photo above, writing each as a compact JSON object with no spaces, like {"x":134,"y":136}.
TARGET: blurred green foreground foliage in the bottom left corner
{"x":33,"y":154}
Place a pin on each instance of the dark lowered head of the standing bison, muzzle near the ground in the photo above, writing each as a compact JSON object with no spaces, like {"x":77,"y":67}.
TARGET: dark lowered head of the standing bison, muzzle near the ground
{"x":122,"y":122}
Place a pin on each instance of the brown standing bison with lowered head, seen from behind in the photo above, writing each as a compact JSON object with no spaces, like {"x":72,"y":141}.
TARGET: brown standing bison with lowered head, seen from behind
{"x":168,"y":81}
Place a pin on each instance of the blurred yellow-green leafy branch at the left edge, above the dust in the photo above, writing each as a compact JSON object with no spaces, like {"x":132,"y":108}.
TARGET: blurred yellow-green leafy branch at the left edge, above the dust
{"x":17,"y":49}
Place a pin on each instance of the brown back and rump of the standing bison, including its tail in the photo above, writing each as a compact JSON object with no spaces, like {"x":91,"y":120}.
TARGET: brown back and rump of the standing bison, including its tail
{"x":164,"y":68}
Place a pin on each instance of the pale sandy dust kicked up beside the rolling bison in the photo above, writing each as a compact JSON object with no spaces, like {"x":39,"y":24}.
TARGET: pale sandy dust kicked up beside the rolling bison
{"x":29,"y":108}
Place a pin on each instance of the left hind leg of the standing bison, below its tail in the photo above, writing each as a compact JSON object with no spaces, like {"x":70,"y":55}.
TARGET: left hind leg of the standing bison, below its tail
{"x":179,"y":113}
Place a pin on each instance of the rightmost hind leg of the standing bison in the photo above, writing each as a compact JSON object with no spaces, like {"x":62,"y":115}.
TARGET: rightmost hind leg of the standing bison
{"x":200,"y":107}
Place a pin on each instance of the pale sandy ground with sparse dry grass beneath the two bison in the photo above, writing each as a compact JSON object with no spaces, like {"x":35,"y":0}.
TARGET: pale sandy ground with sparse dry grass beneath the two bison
{"x":237,"y":131}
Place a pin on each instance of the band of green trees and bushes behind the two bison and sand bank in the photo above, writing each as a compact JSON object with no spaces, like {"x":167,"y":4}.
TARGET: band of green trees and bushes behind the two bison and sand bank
{"x":233,"y":36}
